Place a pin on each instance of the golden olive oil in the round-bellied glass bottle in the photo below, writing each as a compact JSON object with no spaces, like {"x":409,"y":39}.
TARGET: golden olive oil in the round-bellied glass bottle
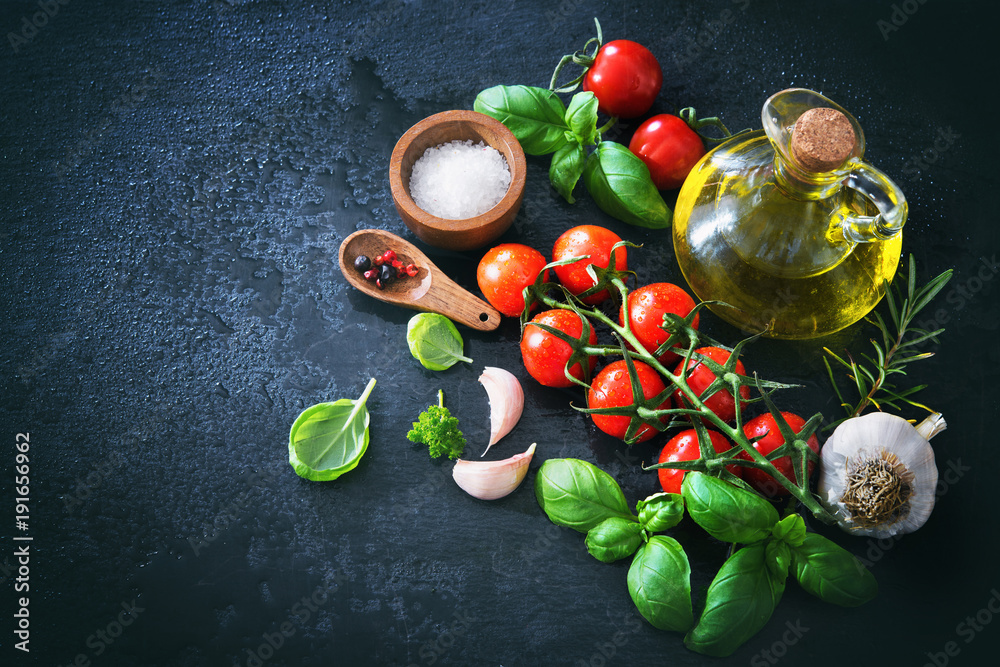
{"x":777,"y":244}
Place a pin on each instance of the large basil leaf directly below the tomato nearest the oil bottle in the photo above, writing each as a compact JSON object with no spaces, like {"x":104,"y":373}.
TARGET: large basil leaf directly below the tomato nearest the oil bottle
{"x":621,"y":186}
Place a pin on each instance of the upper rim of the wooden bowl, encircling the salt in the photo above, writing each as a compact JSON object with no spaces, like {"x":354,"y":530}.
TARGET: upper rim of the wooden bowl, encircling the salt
{"x":517,"y":167}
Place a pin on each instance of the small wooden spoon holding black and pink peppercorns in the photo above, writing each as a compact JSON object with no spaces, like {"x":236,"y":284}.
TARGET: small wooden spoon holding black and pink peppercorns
{"x":430,"y":290}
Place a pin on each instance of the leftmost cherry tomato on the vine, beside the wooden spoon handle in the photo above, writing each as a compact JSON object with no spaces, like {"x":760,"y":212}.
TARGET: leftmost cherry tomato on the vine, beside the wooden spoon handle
{"x":504,"y":272}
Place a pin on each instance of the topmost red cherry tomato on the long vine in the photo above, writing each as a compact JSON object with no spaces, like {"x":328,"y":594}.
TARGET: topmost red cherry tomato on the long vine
{"x":586,"y":240}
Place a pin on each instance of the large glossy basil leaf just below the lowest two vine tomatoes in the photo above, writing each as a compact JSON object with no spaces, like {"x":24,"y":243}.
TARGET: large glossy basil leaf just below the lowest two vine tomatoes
{"x":725,"y":511}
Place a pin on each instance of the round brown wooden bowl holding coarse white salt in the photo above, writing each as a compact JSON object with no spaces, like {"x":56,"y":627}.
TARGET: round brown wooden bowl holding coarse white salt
{"x":457,"y":125}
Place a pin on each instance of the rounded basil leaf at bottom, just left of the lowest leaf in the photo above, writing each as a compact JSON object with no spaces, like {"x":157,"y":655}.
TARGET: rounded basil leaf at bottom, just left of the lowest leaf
{"x":659,"y":582}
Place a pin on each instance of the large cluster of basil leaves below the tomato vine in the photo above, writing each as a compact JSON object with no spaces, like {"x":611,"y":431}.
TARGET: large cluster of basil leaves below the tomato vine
{"x":748,"y":586}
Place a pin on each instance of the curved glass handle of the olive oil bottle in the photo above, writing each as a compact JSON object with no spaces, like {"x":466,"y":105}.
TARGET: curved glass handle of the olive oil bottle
{"x":887,"y":198}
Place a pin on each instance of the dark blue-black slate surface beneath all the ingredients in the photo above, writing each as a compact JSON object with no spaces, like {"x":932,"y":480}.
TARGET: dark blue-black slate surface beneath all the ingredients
{"x":175,"y":181}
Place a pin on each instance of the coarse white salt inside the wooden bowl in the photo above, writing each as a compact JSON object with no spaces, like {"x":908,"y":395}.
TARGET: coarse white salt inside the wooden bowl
{"x":459,"y":179}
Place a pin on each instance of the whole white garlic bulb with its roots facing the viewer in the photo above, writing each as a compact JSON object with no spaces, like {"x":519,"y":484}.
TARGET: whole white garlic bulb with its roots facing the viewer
{"x":878,"y":475}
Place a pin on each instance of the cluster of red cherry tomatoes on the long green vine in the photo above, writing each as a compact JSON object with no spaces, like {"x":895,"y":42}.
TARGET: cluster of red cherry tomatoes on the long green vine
{"x":552,"y":350}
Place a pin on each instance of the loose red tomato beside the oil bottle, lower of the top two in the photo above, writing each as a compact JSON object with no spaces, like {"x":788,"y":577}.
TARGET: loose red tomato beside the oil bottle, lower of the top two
{"x":669,"y":147}
